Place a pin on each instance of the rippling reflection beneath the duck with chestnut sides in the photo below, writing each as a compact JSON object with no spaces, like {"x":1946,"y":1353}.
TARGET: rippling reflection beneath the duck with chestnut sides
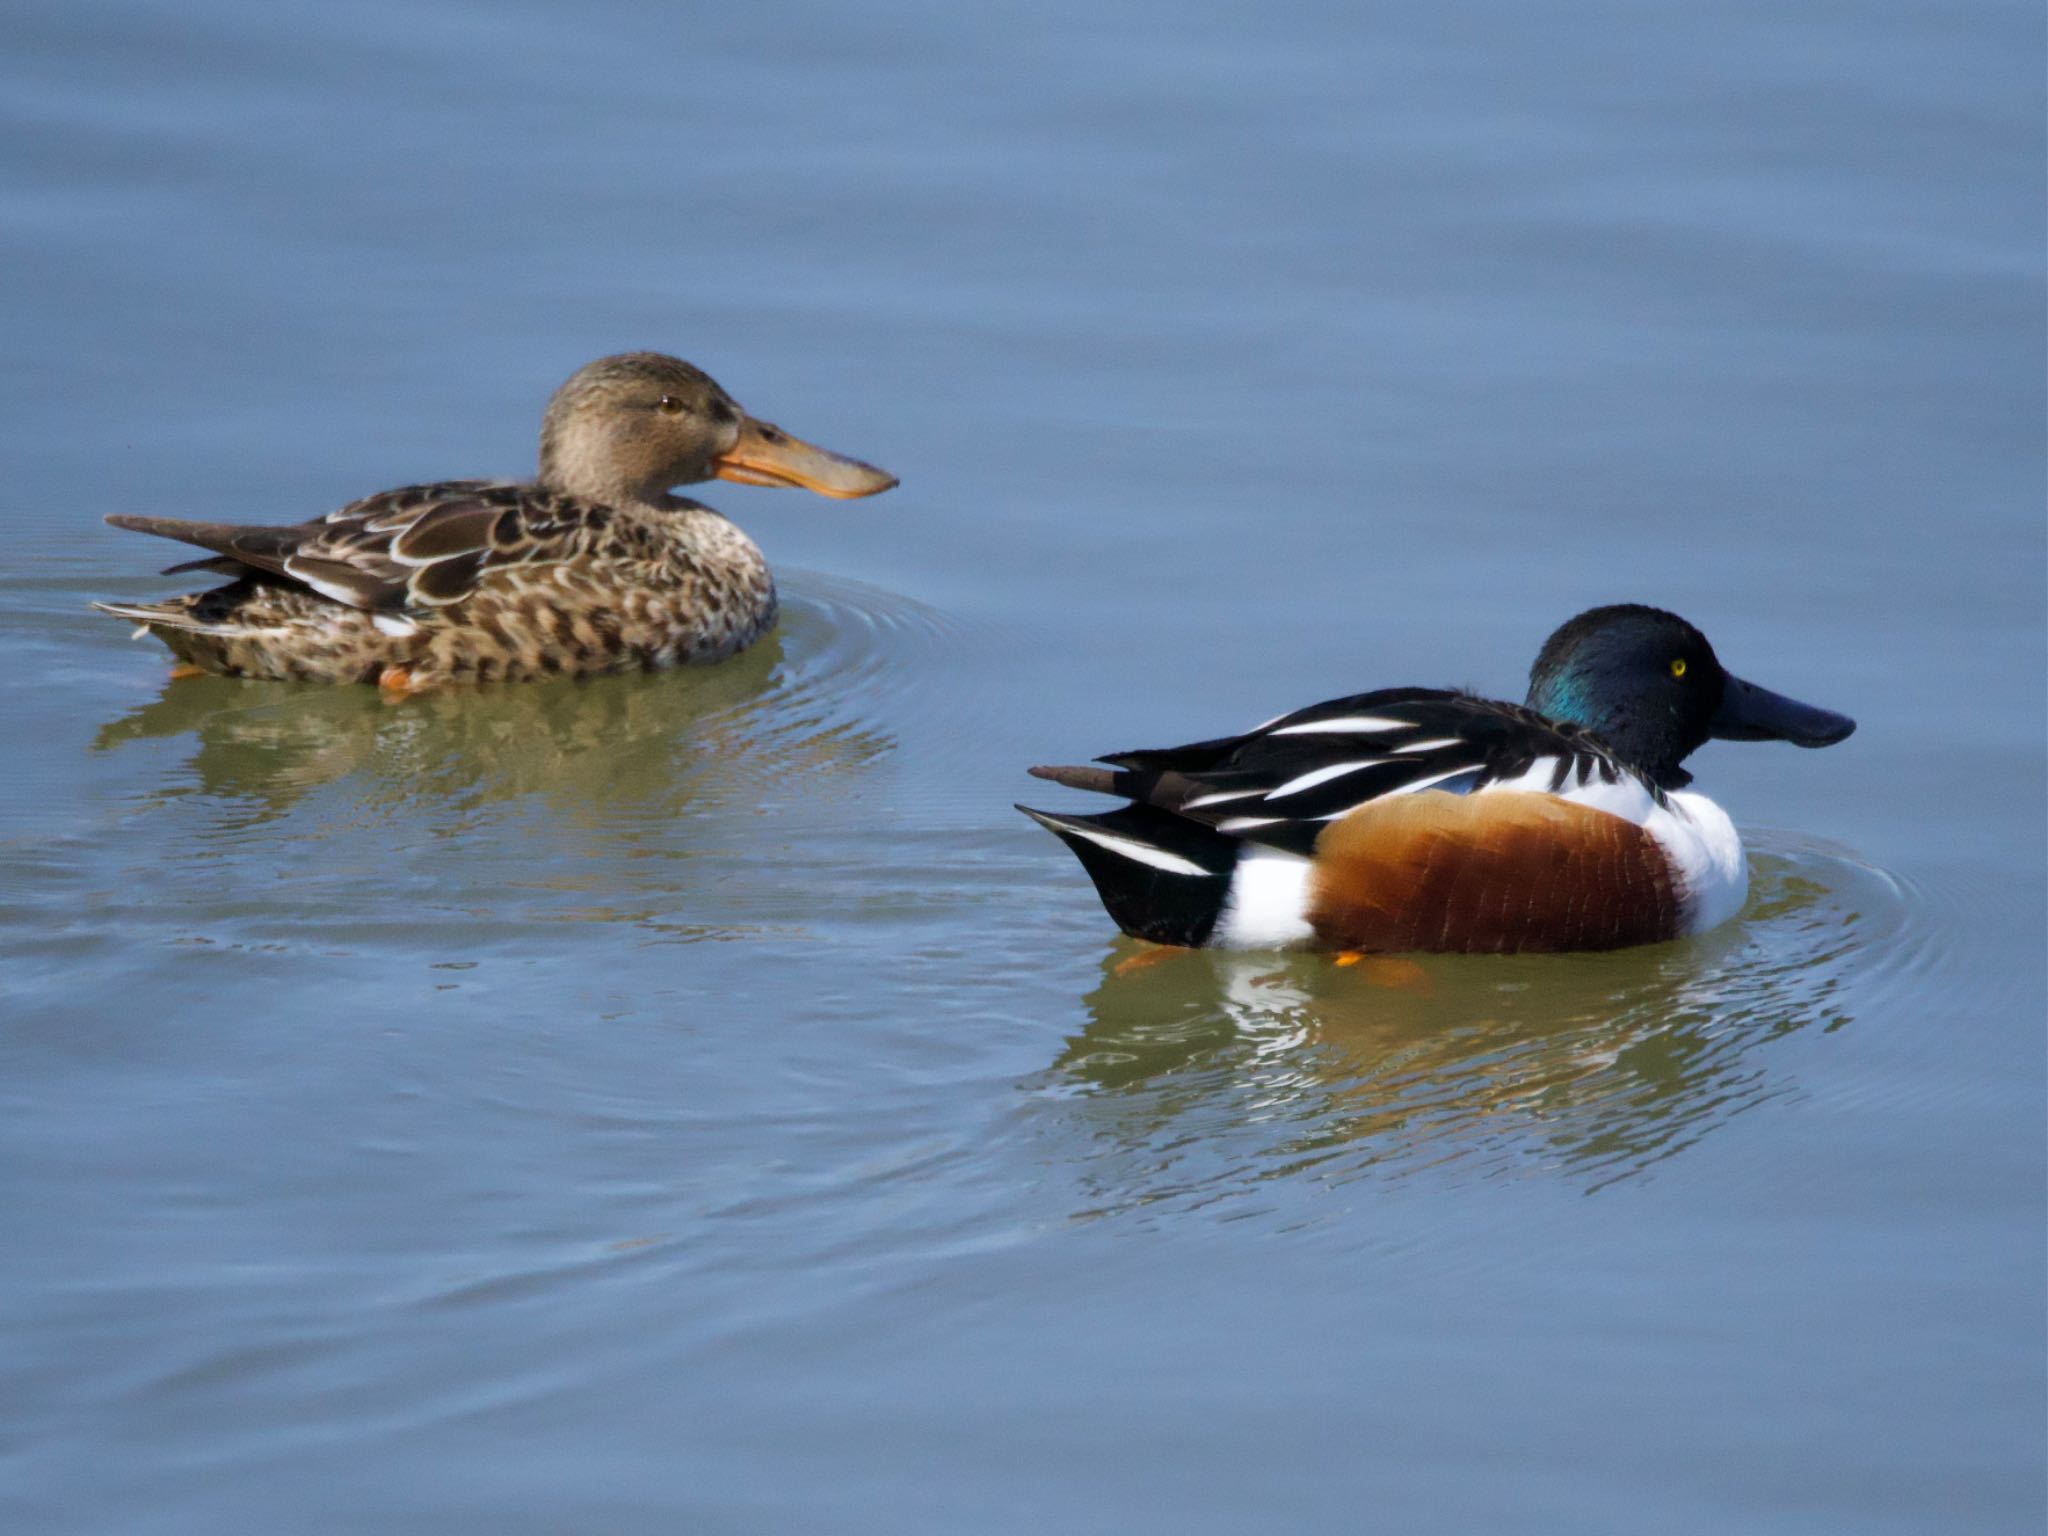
{"x":1203,"y":1076}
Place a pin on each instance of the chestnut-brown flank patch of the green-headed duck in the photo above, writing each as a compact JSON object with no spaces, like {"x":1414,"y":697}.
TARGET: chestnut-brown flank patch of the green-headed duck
{"x":1490,"y":873}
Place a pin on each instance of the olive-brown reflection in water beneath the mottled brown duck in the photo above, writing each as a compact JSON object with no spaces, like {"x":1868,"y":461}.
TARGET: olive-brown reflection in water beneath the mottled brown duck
{"x":615,"y":749}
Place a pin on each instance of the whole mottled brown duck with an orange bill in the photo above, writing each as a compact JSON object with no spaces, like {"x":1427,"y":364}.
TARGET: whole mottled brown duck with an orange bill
{"x":593,"y":566}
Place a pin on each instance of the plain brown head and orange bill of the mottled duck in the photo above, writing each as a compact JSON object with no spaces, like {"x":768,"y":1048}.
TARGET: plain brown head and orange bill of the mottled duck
{"x":630,"y":427}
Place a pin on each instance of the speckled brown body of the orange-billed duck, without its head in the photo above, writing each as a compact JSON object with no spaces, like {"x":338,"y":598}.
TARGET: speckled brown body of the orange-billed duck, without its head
{"x":495,"y":581}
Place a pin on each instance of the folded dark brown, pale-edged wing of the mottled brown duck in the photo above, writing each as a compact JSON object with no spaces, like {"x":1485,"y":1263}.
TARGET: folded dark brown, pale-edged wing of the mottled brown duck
{"x":417,"y":548}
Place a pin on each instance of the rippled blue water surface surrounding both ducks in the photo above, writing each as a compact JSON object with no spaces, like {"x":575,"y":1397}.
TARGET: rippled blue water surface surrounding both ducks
{"x":701,"y":1103}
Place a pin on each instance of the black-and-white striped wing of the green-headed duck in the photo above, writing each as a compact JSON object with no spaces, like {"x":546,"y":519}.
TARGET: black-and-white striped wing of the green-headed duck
{"x":1287,"y":781}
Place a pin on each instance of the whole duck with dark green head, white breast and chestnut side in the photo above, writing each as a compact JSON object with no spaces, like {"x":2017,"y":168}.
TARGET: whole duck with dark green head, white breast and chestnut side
{"x":1433,"y":820}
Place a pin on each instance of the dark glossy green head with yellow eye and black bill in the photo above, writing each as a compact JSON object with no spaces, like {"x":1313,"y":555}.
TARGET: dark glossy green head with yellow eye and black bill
{"x":1650,"y":685}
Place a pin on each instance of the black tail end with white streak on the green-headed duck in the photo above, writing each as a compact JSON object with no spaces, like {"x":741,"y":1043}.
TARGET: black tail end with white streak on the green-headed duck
{"x":1160,"y":876}
